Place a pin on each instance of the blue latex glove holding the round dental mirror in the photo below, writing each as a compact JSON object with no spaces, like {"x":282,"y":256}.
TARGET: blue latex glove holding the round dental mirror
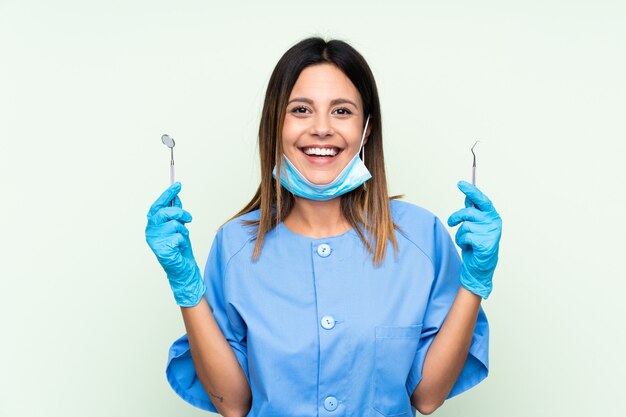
{"x":168,"y":238}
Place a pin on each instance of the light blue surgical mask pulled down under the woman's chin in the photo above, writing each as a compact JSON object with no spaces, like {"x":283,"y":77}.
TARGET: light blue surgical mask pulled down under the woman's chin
{"x":353,"y":175}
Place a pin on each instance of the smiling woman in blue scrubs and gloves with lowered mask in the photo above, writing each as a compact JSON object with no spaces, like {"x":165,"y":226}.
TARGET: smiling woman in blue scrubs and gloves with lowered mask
{"x":324,"y":296}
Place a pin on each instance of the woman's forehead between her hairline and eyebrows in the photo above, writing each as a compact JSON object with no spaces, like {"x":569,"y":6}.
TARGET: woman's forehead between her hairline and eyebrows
{"x":324,"y":82}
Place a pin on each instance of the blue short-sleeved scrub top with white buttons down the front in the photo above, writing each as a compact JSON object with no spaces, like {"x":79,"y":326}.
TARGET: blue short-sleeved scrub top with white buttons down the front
{"x":319,"y":331}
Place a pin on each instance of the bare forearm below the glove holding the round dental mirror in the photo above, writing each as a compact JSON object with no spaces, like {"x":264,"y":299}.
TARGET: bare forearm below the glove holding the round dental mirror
{"x":215,"y":363}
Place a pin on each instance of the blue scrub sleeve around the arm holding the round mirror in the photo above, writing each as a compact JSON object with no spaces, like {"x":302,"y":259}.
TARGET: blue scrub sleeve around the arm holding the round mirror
{"x":180,"y":370}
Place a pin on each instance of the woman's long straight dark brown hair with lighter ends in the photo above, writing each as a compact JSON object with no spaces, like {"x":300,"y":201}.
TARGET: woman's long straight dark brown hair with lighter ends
{"x":366,"y":207}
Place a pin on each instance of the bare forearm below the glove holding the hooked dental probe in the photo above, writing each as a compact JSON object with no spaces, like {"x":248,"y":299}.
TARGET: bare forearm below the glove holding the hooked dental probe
{"x":446,"y":356}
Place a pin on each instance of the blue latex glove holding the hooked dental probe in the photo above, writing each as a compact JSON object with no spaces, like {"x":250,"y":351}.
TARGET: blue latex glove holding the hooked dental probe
{"x":479,"y":239}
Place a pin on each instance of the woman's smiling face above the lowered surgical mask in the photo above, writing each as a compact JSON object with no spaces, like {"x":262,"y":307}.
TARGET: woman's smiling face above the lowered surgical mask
{"x":323,"y":125}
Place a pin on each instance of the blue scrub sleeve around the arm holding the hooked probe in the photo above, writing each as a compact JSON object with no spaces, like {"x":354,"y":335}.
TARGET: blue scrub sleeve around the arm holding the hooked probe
{"x":446,"y":283}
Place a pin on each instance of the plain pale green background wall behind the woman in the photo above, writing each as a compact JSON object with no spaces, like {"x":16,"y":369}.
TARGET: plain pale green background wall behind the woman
{"x":87,"y":88}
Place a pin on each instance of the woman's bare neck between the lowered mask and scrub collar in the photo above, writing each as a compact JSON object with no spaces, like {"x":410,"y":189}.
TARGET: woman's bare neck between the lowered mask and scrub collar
{"x":317,"y":219}
